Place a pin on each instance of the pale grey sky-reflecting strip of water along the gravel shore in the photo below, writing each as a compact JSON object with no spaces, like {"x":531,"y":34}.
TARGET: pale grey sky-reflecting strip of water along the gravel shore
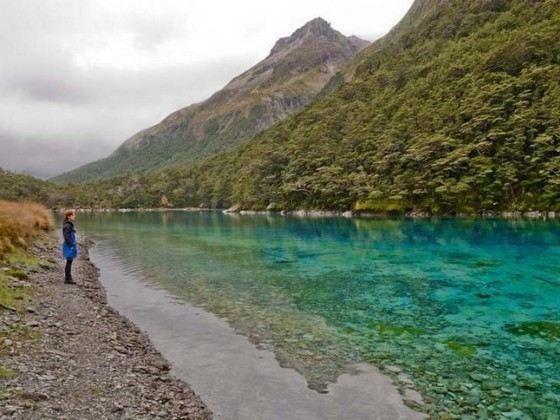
{"x":235,"y":377}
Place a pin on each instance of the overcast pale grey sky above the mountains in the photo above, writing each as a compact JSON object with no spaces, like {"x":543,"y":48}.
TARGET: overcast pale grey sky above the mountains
{"x":78,"y":77}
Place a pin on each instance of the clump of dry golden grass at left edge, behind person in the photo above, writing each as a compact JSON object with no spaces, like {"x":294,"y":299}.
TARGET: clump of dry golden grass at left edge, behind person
{"x":20,"y":223}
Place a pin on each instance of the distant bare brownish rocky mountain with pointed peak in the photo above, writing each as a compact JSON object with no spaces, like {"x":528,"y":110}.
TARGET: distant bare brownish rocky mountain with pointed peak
{"x":288,"y":79}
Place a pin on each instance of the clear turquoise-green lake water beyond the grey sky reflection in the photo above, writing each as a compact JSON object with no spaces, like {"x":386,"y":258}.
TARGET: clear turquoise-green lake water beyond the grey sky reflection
{"x":468,"y":309}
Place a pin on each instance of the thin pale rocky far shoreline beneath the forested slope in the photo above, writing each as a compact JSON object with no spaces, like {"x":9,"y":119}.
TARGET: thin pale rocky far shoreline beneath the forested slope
{"x":349,"y":214}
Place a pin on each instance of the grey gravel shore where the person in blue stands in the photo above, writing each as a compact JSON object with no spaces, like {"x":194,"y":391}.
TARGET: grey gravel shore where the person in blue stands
{"x":70,"y":356}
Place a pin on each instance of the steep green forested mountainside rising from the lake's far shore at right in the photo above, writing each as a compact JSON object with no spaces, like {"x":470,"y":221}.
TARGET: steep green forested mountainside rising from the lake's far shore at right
{"x":456,"y":110}
